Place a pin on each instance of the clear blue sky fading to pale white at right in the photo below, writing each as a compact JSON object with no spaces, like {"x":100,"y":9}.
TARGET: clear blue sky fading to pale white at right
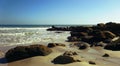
{"x":59,"y":11}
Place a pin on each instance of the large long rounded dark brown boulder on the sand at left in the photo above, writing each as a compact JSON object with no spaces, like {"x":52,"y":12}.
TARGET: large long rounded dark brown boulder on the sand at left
{"x":22,"y":52}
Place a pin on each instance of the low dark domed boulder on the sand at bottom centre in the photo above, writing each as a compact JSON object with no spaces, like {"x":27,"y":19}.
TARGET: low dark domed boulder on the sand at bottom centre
{"x":63,"y":60}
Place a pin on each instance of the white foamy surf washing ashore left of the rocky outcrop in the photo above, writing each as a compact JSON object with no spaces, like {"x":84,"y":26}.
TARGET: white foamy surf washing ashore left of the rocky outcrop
{"x":30,"y":35}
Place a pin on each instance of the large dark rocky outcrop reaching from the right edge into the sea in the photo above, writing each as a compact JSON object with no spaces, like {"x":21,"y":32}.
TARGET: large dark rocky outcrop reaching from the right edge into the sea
{"x":100,"y":32}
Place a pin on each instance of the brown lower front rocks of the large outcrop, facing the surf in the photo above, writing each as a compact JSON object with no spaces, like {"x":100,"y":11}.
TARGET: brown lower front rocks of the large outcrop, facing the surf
{"x":94,"y":36}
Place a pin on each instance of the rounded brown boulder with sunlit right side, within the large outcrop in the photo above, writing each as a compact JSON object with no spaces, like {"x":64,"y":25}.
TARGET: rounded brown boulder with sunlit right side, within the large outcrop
{"x":105,"y":36}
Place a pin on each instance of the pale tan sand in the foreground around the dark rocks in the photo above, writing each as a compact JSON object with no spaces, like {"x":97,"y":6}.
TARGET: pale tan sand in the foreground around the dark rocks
{"x":90,"y":54}
